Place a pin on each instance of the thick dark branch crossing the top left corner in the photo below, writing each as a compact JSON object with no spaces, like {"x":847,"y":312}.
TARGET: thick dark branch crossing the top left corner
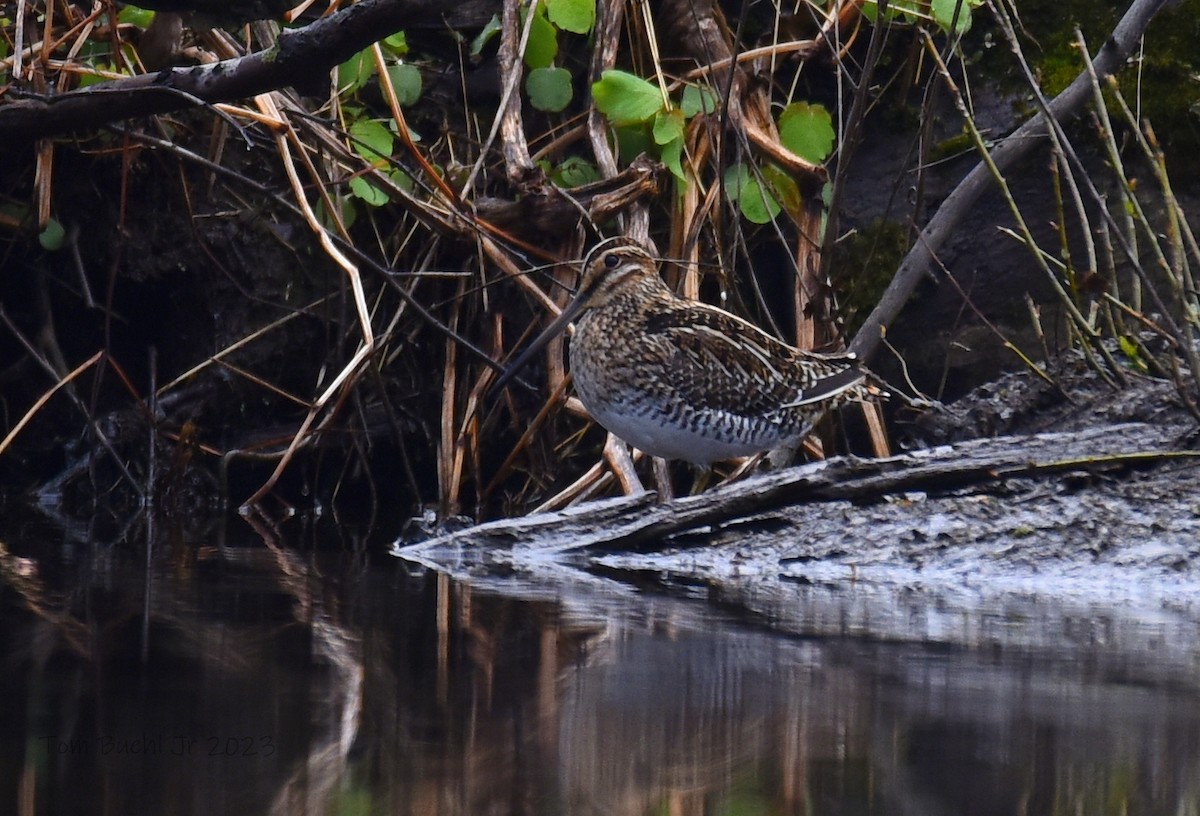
{"x":302,"y":57}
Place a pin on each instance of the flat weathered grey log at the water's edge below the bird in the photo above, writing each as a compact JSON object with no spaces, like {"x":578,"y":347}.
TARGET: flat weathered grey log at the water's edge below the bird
{"x":639,"y":524}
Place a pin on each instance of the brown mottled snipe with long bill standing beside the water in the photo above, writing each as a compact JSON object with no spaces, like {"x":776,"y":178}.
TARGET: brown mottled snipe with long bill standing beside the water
{"x":682,"y":380}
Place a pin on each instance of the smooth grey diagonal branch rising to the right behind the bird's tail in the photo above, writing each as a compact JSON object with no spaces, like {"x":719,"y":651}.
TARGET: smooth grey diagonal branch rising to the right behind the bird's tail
{"x":1015,"y":148}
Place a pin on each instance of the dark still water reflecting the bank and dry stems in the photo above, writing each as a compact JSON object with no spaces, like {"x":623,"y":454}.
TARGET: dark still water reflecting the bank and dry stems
{"x":267,"y":675}
